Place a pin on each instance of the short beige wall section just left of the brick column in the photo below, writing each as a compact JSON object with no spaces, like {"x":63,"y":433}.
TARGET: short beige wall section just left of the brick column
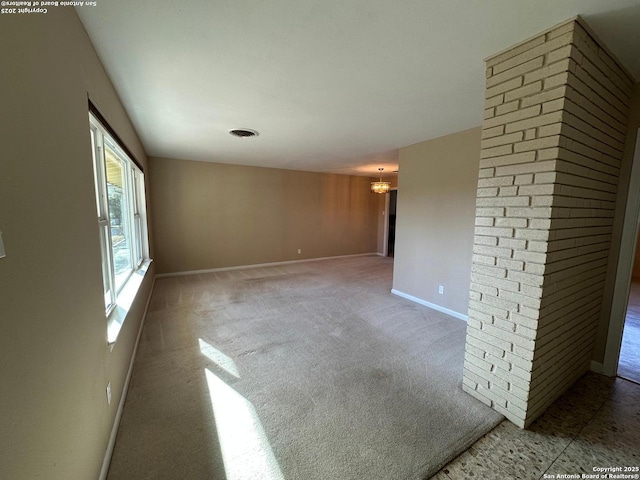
{"x":435,"y":218}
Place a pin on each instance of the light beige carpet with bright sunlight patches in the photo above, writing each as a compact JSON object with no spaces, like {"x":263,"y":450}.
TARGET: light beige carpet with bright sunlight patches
{"x":306,"y":371}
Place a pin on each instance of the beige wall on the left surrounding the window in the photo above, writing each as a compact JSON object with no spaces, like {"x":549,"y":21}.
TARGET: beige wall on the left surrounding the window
{"x":54,"y":358}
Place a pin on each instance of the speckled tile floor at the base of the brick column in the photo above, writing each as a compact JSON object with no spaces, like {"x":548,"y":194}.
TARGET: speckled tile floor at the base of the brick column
{"x":594,"y":424}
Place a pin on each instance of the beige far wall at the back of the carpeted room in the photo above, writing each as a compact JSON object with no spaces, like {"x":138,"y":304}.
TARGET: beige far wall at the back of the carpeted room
{"x":211,"y":215}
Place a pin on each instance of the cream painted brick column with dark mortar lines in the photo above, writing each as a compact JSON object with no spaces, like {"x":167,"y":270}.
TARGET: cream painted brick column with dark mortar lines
{"x":555,"y":121}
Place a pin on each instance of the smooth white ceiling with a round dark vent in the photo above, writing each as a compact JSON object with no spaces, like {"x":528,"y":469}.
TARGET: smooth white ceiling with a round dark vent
{"x":331,"y":85}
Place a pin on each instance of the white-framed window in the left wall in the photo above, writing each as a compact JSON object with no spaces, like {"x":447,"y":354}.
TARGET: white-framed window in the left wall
{"x":121,"y":212}
